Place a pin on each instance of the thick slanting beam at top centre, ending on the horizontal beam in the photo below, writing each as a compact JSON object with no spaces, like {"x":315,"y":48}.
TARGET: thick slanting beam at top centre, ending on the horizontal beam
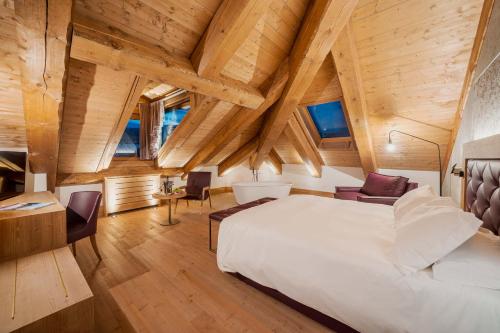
{"x":229,"y":28}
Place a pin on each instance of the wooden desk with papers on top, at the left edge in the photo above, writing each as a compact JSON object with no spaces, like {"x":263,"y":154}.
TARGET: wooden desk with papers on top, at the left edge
{"x":23,"y":233}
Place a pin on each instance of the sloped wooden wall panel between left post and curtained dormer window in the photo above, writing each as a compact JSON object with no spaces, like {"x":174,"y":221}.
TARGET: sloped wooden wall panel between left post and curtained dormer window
{"x":93,"y":104}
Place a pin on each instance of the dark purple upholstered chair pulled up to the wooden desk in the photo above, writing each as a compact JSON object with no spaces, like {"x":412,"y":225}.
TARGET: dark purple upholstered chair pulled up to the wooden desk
{"x":81,"y":218}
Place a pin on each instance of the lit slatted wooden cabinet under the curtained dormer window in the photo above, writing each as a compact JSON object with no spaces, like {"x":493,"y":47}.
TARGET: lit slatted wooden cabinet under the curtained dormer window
{"x":131,"y":192}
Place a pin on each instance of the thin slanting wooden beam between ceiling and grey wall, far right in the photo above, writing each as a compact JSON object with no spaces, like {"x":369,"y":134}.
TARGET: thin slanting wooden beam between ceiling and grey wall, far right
{"x":471,"y":68}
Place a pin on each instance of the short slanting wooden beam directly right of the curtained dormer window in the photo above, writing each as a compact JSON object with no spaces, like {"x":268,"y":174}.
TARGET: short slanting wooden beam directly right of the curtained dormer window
{"x":200,"y":108}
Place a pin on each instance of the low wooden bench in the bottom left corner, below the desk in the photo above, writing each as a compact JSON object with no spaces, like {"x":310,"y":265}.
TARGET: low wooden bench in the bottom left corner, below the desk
{"x":45,"y":292}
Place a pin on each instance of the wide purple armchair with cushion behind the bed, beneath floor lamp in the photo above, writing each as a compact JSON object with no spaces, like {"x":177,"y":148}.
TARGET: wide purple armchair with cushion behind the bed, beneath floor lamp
{"x":378,"y":188}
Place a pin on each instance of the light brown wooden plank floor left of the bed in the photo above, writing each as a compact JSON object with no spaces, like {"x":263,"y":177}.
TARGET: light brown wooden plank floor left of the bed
{"x":164,"y":279}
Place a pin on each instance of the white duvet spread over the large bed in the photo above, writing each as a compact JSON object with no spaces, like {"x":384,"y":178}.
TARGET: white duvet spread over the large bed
{"x":334,"y":256}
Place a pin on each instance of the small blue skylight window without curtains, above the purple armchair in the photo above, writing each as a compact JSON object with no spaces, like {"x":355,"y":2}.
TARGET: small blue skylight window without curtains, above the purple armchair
{"x":329,"y":119}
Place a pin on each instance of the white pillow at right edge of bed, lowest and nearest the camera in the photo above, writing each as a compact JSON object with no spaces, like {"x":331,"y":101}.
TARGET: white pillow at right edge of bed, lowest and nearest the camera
{"x":475,"y":263}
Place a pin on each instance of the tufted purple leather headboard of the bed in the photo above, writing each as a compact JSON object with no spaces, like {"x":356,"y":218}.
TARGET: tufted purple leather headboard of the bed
{"x":482,"y":191}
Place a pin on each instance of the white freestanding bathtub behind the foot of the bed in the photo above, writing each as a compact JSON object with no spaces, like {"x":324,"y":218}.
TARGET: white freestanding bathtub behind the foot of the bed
{"x":246,"y":192}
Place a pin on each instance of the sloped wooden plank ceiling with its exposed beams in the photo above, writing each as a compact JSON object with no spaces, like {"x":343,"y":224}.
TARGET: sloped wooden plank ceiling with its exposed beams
{"x":393,"y":64}
